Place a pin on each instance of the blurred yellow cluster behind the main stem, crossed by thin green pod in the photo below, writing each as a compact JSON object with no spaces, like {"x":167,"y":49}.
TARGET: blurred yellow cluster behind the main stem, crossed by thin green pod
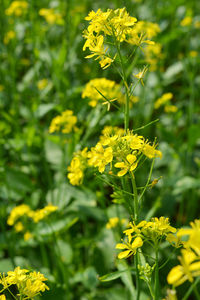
{"x":102,"y":90}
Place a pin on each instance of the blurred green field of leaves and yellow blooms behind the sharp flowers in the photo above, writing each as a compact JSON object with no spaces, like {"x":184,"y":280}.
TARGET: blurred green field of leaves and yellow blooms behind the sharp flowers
{"x":43,"y":71}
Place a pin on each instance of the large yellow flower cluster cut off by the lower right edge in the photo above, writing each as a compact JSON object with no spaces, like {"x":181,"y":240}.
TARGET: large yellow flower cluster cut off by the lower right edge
{"x":190,"y":256}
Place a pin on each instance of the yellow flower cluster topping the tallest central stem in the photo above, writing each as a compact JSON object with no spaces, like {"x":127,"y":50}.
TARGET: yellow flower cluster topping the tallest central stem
{"x":115,"y":26}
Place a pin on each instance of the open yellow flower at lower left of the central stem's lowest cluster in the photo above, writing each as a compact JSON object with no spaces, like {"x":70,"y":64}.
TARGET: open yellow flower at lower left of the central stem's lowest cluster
{"x":130,"y":248}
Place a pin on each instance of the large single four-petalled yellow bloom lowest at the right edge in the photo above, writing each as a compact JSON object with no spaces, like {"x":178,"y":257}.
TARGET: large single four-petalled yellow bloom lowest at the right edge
{"x":189,"y":268}
